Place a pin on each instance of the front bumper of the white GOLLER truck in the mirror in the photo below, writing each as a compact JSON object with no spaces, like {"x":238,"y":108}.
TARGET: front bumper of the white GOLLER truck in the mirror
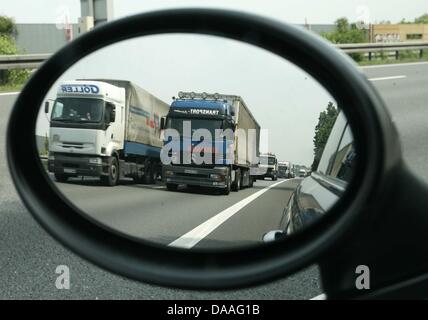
{"x":78,"y":165}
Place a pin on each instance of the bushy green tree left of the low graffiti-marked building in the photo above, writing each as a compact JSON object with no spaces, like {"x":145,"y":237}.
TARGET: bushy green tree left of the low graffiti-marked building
{"x":347,"y":33}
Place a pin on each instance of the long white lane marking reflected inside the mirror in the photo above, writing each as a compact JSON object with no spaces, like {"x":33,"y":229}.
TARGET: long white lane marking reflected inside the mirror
{"x":195,"y":235}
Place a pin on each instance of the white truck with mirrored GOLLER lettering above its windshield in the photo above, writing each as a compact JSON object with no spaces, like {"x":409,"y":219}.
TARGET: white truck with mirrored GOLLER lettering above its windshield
{"x":105,"y":128}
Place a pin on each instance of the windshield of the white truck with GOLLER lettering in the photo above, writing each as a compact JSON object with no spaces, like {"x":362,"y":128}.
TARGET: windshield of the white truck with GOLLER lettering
{"x":77,"y":110}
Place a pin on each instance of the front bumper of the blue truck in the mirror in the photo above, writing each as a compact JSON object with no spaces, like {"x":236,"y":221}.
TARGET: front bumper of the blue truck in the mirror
{"x":204,"y":177}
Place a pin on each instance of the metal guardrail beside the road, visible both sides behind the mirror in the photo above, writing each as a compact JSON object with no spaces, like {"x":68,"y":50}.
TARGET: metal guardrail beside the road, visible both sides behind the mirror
{"x":33,"y":61}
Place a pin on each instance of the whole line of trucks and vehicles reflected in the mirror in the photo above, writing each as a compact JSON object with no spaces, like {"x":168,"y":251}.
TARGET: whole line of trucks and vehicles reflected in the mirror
{"x":113,"y":129}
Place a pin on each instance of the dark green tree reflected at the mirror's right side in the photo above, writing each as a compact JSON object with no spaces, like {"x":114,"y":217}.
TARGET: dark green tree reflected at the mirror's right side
{"x":326,"y":121}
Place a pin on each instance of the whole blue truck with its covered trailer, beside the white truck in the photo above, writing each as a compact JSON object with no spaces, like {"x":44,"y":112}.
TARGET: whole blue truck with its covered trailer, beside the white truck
{"x":228,"y":157}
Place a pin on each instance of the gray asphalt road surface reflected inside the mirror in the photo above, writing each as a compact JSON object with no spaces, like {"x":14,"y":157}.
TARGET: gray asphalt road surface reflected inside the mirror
{"x":151,"y":212}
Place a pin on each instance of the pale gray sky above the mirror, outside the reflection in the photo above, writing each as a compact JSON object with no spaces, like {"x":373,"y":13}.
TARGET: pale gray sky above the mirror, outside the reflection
{"x":295,"y":11}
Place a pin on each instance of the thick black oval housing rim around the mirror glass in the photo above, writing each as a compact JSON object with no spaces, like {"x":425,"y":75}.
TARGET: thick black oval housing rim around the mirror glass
{"x":379,"y":153}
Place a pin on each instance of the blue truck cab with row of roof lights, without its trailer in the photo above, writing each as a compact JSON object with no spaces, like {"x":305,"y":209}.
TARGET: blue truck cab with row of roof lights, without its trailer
{"x":204,"y":150}
